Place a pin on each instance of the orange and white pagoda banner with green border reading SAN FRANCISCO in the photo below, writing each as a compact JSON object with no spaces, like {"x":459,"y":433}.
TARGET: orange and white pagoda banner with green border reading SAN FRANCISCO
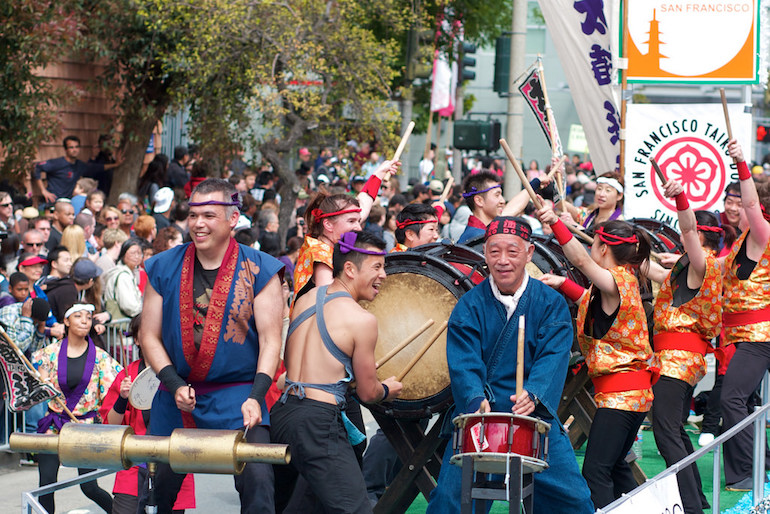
{"x":686,"y":41}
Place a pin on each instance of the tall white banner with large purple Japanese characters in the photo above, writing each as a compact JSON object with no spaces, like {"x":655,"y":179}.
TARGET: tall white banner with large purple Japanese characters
{"x":581,"y":35}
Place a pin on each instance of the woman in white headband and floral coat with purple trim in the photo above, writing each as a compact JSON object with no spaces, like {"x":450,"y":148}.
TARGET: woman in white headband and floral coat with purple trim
{"x":83,"y":373}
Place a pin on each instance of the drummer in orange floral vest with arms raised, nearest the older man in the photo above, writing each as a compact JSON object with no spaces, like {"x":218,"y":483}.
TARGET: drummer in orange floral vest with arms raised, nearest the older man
{"x":613,"y":337}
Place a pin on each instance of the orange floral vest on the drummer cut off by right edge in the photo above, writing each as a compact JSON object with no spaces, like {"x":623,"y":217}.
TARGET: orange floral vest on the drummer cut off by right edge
{"x":746,"y":296}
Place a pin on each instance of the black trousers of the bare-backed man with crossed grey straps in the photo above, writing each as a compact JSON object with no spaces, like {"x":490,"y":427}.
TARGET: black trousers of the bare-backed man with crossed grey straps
{"x":321,"y":454}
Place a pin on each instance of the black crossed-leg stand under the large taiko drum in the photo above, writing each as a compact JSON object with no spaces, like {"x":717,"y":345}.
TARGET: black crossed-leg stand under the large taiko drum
{"x":421,"y":455}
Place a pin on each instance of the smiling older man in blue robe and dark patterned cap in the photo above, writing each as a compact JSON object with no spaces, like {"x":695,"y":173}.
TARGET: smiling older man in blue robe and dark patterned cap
{"x":482,"y":358}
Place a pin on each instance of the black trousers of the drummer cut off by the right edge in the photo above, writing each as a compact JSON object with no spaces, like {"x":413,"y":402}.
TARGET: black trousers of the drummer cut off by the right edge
{"x":744,"y":374}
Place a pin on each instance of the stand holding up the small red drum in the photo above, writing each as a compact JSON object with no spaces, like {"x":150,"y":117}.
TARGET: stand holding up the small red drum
{"x":516,"y":487}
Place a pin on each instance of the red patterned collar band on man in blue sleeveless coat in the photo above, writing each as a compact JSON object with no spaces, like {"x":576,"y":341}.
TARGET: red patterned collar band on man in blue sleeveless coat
{"x":200,"y":360}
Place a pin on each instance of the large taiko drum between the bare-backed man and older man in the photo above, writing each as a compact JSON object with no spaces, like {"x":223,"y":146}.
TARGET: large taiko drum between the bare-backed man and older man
{"x":421,"y":285}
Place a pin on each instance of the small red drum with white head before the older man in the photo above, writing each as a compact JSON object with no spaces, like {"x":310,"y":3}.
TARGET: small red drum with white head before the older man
{"x":490,"y":439}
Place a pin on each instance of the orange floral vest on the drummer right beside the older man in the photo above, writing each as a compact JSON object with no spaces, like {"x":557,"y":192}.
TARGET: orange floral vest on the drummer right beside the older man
{"x":625,"y":347}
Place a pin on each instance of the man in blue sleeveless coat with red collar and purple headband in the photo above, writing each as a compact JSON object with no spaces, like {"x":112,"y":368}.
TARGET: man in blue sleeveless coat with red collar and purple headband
{"x":211,"y":329}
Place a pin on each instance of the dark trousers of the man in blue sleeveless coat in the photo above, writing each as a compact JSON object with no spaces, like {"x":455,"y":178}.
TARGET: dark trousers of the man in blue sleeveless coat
{"x":254,"y":485}
